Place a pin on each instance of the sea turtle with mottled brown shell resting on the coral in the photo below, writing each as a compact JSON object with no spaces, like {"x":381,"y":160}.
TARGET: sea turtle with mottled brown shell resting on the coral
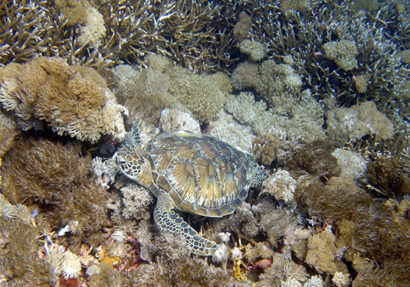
{"x":193,"y":173}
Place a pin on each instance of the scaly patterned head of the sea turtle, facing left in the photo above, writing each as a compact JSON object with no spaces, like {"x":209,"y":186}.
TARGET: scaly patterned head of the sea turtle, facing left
{"x":135,"y":166}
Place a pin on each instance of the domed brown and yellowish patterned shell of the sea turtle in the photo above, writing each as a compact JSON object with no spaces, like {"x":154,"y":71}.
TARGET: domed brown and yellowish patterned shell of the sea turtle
{"x":202,"y":174}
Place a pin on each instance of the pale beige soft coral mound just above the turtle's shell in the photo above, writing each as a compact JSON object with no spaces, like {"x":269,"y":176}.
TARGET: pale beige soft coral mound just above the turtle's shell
{"x":160,"y":86}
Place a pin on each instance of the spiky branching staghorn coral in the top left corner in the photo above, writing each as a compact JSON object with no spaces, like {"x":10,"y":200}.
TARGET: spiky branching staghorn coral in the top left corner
{"x":29,"y":28}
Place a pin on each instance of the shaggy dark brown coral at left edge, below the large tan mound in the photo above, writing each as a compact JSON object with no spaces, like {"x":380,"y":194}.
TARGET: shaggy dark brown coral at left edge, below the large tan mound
{"x":59,"y":179}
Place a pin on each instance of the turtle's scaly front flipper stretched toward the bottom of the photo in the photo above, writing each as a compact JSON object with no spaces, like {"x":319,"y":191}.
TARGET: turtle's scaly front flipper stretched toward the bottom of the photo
{"x":169,"y":221}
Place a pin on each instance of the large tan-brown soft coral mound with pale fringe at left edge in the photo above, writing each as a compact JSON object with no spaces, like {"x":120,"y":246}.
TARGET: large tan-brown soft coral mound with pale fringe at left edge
{"x":67,"y":98}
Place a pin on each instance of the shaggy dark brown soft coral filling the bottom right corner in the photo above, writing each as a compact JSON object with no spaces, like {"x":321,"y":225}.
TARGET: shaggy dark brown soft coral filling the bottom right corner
{"x":364,"y":226}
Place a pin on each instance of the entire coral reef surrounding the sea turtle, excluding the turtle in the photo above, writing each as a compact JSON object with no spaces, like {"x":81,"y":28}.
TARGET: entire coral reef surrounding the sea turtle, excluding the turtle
{"x":316,"y":91}
